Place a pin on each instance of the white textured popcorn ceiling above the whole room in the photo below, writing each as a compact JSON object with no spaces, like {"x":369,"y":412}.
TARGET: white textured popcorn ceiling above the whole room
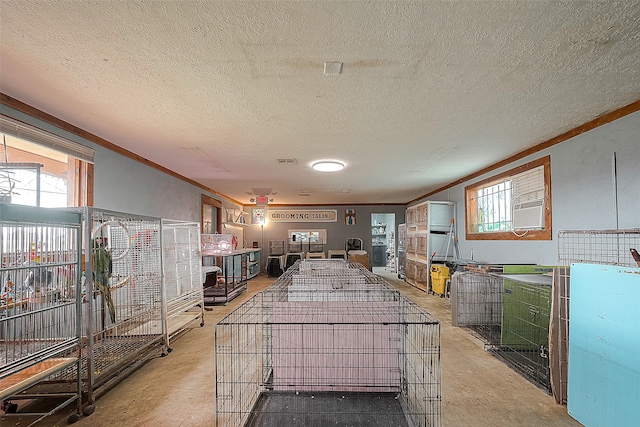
{"x":219,"y":91}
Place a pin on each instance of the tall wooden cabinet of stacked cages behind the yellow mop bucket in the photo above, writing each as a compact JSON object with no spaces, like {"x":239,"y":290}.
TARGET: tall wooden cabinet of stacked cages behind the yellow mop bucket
{"x":430,"y":239}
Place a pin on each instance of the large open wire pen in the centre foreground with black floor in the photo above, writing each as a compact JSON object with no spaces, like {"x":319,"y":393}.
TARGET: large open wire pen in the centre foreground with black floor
{"x":360,"y":356}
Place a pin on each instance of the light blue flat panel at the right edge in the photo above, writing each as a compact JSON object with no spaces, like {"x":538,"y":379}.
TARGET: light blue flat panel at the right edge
{"x":604,"y":345}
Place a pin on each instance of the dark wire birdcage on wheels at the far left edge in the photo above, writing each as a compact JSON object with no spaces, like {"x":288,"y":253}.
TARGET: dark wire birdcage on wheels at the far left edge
{"x":40,"y":312}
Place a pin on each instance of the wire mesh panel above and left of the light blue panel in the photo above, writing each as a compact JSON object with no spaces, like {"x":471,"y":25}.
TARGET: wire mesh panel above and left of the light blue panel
{"x":611,"y":247}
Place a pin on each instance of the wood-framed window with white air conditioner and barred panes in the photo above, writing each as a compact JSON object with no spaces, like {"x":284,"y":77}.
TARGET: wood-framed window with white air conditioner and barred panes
{"x":512,"y":205}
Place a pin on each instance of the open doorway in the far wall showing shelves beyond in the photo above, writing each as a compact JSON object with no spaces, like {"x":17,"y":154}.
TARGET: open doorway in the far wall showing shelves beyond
{"x":383,"y":242}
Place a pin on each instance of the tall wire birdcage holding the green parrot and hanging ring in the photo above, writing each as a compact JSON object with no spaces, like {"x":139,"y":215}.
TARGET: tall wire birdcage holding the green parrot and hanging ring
{"x":123,"y":303}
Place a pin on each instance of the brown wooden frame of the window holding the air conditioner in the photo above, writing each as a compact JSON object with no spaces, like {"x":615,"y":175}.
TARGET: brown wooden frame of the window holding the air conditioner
{"x":530,"y":234}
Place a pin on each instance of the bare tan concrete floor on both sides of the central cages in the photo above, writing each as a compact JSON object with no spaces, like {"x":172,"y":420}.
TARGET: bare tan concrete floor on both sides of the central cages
{"x":179,"y":390}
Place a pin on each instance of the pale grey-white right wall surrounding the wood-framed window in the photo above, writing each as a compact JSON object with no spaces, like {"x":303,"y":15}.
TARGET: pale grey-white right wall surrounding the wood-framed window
{"x":582,"y":192}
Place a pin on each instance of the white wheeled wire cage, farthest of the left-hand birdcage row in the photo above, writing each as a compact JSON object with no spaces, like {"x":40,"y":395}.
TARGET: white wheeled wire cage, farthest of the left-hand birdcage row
{"x":181,"y":277}
